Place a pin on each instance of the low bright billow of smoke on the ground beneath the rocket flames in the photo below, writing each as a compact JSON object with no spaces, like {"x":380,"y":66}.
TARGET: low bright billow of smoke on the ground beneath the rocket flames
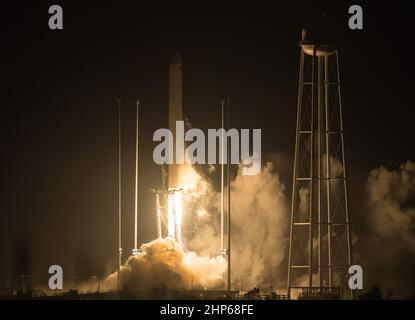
{"x":162,"y":264}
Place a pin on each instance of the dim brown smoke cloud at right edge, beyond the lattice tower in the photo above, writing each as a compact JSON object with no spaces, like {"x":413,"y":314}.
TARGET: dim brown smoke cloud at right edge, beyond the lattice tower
{"x":390,"y":216}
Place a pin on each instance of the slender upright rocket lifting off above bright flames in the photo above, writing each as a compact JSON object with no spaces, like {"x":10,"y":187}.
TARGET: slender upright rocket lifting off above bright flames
{"x":175,"y":112}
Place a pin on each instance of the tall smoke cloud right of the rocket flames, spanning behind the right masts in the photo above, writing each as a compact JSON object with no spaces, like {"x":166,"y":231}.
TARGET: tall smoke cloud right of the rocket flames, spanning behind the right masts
{"x":259,"y":209}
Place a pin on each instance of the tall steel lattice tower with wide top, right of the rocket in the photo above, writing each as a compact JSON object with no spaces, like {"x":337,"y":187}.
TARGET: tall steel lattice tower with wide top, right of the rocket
{"x":320,"y":236}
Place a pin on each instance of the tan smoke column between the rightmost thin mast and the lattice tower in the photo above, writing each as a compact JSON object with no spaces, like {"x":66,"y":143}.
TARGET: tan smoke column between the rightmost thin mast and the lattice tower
{"x":260,"y":219}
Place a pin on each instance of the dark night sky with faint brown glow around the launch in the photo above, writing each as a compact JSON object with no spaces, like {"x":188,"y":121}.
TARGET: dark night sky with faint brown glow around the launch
{"x":58,"y":126}
